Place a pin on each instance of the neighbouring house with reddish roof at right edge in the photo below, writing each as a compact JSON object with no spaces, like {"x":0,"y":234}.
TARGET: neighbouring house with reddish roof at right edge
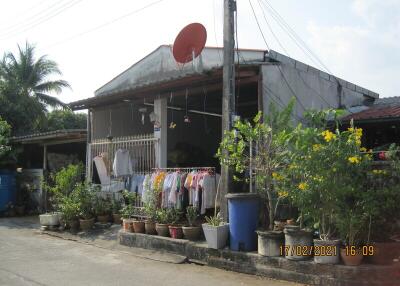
{"x":380,"y":122}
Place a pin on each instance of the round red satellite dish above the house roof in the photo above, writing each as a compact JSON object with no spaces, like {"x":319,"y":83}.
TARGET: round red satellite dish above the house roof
{"x":189,"y":43}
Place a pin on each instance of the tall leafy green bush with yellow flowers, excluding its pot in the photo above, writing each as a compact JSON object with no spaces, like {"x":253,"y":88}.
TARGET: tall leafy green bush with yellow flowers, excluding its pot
{"x":327,"y":161}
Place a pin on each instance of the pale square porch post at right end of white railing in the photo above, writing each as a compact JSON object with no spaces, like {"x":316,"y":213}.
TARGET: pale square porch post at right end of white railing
{"x":160,"y":132}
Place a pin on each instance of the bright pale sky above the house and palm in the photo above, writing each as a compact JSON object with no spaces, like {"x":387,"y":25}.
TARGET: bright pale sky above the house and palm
{"x":356,"y":39}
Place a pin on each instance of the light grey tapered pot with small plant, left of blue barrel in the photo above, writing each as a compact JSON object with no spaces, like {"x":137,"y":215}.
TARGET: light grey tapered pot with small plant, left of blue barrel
{"x":216,"y":231}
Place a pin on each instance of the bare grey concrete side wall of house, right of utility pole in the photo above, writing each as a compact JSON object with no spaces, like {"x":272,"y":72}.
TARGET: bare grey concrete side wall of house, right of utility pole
{"x":313,"y":88}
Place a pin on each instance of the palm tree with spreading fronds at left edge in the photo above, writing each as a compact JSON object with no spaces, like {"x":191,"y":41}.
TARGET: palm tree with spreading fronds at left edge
{"x":26,"y":86}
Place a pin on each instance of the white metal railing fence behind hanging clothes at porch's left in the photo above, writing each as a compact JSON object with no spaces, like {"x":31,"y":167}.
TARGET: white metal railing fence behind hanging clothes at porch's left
{"x":141,"y":148}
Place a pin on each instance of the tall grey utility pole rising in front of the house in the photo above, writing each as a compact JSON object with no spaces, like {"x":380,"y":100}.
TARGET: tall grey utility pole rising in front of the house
{"x":228,"y":95}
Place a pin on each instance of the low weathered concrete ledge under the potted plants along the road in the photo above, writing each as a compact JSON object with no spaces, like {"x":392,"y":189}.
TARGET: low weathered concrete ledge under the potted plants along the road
{"x":306,"y":272}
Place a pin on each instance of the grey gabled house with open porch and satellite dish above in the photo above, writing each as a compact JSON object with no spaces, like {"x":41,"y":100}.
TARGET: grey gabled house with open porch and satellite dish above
{"x":135,"y":109}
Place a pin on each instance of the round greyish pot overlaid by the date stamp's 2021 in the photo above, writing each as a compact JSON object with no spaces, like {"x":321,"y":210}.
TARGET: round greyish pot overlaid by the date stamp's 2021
{"x":326,"y":251}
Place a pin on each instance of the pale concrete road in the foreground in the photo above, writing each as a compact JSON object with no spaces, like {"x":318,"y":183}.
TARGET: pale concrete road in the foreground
{"x":29,"y":258}
